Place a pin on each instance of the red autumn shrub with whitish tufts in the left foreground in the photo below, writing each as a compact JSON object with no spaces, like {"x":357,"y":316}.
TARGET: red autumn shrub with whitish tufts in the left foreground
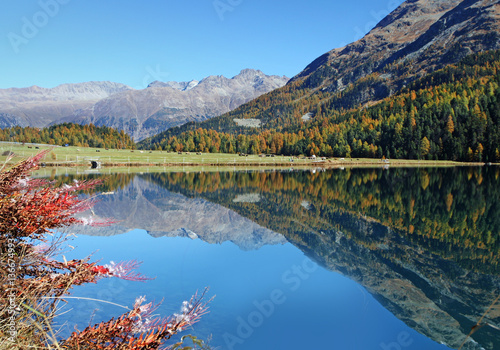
{"x":35,"y":281}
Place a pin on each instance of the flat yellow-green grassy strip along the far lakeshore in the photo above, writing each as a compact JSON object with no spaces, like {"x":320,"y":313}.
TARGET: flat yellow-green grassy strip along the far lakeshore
{"x":83,"y":157}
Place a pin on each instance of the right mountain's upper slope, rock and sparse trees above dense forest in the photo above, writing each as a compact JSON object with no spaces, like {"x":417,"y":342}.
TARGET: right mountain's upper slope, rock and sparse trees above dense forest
{"x":417,"y":38}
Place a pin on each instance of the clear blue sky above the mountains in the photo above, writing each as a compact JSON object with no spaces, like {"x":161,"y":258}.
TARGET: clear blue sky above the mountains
{"x":50,"y":42}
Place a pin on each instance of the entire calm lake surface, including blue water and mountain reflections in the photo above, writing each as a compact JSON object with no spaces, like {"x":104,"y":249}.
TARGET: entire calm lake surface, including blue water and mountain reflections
{"x":339,"y":259}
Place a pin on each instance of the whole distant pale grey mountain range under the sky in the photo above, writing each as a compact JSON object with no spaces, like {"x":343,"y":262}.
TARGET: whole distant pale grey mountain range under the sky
{"x":140,"y":113}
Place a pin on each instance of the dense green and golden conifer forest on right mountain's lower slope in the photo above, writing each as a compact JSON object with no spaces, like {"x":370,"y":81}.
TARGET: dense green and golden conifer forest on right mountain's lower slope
{"x":451,"y":114}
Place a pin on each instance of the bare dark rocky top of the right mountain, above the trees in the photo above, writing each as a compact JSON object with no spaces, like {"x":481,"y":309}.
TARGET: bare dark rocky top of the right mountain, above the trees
{"x":418,"y":37}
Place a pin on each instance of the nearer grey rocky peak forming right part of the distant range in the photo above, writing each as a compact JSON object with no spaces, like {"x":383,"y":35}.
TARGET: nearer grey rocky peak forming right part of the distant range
{"x":147,"y":112}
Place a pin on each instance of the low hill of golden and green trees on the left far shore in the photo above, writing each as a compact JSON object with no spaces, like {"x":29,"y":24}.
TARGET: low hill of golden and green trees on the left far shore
{"x":70,"y":134}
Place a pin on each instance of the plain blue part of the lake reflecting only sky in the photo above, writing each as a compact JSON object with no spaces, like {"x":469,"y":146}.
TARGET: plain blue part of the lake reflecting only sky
{"x":271,"y":298}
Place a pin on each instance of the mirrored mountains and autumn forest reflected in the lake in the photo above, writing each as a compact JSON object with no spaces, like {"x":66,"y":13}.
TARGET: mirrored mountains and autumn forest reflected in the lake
{"x":423,"y":242}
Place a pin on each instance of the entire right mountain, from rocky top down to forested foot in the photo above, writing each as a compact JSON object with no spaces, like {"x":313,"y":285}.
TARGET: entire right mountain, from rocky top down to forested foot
{"x":310,"y":114}
